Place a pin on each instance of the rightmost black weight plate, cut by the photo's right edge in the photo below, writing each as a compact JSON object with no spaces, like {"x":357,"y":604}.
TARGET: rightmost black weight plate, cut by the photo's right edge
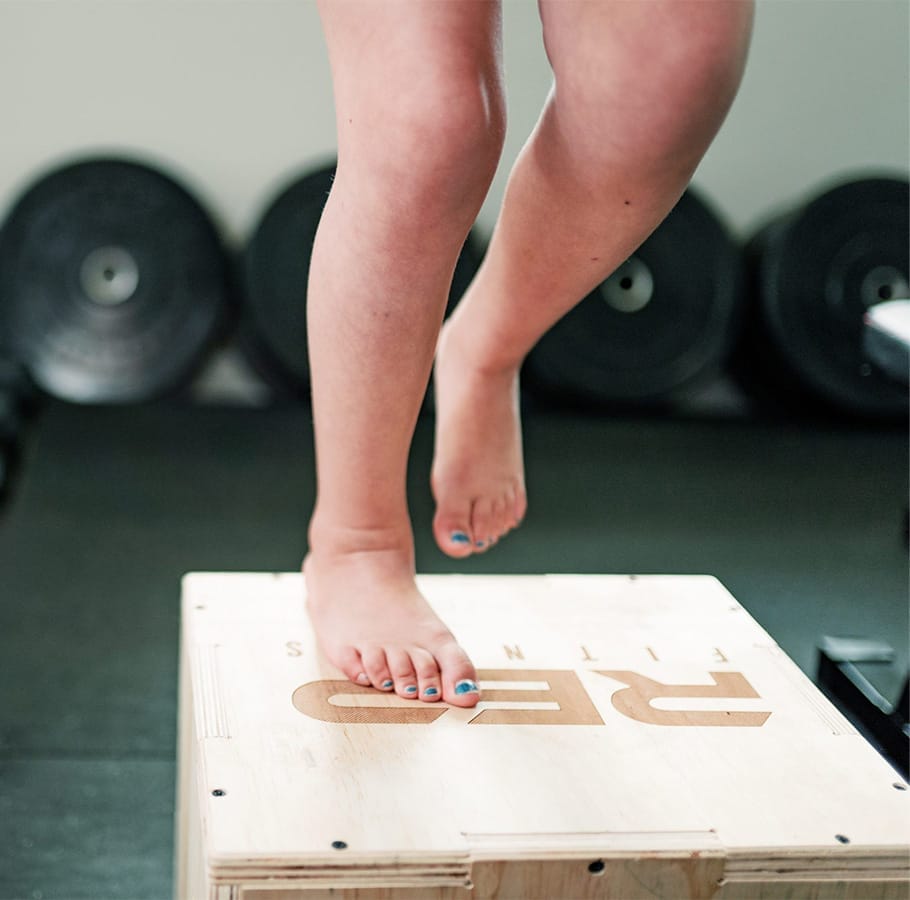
{"x":815,"y":273}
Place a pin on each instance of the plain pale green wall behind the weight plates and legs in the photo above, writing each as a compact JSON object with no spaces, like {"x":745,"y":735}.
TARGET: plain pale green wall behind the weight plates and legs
{"x":235,"y":96}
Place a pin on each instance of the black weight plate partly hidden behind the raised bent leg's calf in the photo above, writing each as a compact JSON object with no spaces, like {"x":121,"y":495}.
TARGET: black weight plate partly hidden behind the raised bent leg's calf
{"x":664,"y":320}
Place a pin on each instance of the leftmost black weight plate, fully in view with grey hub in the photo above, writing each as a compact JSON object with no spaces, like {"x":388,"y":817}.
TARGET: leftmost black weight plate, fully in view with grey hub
{"x":112,"y":282}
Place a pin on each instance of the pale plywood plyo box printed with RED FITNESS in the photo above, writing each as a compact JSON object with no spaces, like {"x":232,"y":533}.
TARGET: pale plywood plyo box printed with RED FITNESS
{"x":637,"y":738}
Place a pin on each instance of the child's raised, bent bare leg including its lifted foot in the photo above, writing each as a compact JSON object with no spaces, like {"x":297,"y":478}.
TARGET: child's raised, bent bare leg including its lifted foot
{"x":640,"y":91}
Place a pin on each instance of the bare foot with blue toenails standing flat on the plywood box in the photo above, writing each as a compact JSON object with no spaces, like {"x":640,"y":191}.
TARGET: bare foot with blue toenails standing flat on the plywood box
{"x":374,"y":624}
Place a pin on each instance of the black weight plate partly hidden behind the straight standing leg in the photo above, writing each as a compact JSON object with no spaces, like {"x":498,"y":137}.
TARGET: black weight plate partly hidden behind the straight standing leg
{"x":276,"y":267}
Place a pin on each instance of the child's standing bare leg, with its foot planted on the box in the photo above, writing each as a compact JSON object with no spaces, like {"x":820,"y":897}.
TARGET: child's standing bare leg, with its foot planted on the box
{"x":419,"y":114}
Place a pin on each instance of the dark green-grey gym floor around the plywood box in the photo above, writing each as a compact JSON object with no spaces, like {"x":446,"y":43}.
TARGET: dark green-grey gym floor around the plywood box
{"x":804,"y":524}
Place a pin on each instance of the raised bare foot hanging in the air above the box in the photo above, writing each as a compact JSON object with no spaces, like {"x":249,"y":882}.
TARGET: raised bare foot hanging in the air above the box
{"x":478,"y":472}
